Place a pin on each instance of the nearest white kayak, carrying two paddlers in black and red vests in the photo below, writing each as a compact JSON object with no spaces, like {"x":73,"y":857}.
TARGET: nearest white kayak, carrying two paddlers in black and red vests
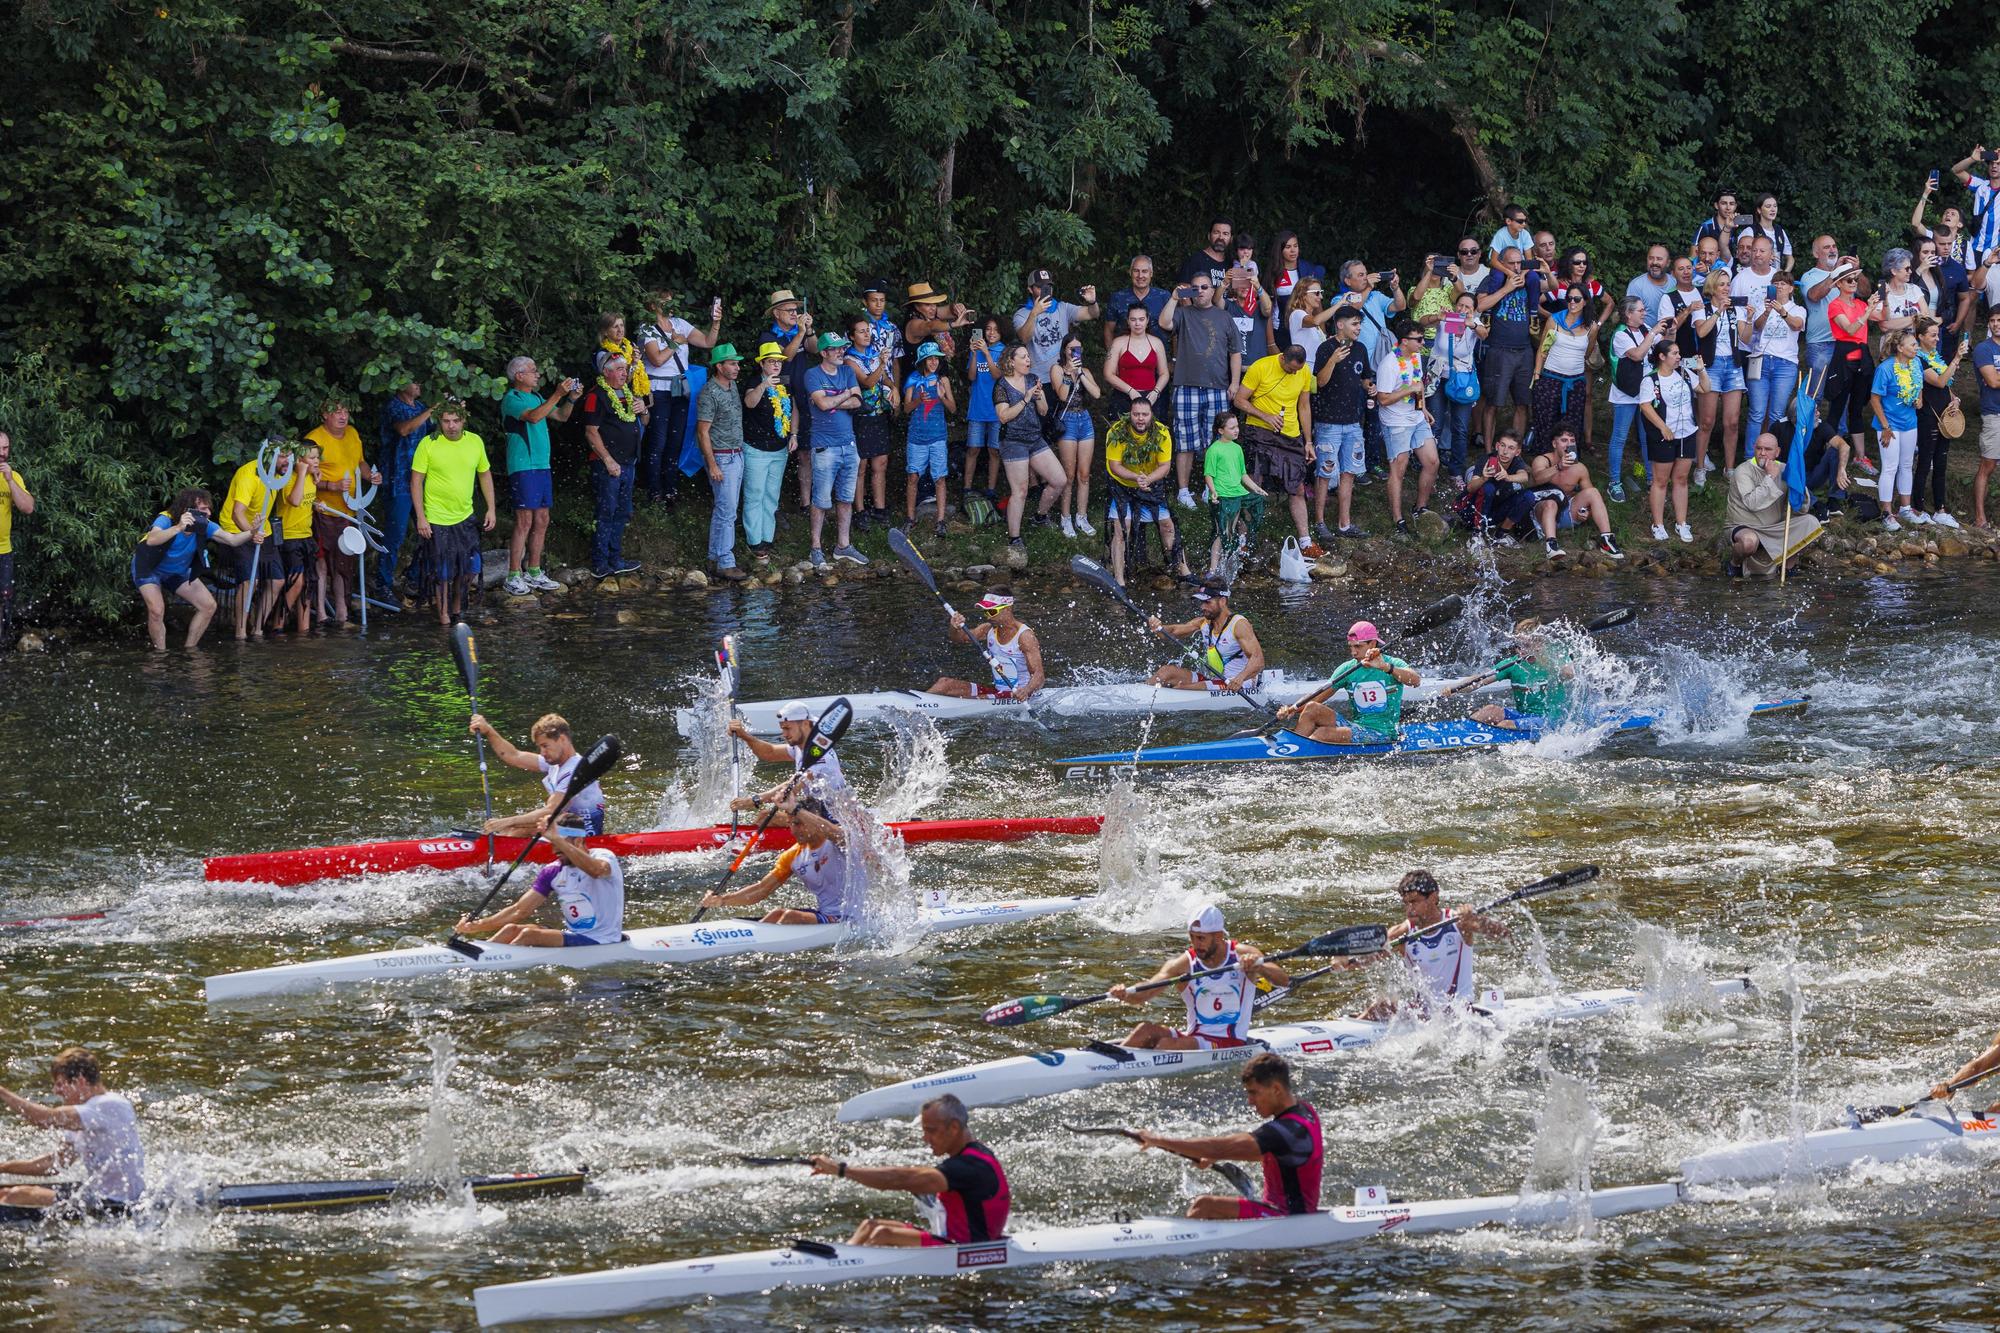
{"x":815,"y":1264}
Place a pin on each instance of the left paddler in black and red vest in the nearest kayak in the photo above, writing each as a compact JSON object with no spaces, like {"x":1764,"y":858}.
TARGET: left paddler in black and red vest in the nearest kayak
{"x":963,"y":1200}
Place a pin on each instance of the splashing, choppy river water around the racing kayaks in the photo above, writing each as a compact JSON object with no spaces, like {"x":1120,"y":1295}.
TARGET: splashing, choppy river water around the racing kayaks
{"x":1837,"y":860}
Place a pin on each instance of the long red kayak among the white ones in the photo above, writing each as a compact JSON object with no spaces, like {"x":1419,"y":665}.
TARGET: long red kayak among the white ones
{"x":455,"y":854}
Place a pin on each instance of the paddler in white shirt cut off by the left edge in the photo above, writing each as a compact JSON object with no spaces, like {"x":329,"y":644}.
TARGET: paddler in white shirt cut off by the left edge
{"x":101,"y":1132}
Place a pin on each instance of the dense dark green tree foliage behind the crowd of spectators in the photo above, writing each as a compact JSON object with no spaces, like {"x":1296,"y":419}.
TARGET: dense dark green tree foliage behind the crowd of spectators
{"x":217,"y":213}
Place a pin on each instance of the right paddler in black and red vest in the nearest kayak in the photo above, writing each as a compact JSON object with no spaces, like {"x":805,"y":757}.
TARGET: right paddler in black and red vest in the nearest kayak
{"x":1289,"y":1146}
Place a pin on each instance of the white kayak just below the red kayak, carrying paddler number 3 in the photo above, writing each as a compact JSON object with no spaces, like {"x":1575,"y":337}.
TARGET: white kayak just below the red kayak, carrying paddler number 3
{"x":679,"y":944}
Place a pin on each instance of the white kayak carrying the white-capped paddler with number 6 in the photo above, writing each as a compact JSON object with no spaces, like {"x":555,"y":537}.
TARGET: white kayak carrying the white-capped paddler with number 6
{"x":1045,"y":1074}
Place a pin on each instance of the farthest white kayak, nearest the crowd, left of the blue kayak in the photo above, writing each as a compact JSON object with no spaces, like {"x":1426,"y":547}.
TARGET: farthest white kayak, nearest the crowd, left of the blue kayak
{"x":1109,"y":698}
